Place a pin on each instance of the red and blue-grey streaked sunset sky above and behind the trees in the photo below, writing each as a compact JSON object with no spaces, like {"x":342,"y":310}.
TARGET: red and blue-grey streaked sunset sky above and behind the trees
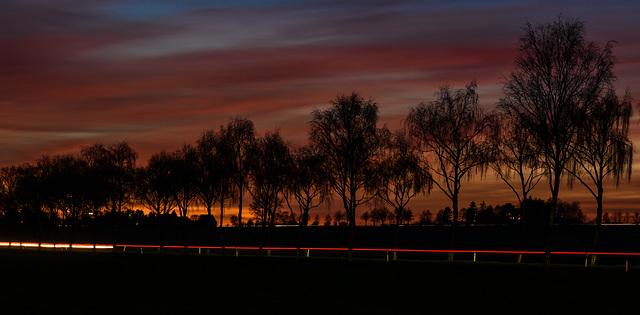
{"x":158,"y":73}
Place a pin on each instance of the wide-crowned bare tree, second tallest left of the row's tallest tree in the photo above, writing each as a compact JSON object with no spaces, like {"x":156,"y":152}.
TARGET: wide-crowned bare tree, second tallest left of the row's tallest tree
{"x":451,"y":132}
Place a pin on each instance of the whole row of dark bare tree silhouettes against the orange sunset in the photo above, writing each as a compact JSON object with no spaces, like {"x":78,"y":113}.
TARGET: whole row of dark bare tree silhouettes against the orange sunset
{"x":559,"y":118}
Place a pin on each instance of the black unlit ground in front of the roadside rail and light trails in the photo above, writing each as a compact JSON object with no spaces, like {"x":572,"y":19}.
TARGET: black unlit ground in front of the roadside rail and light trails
{"x":126,"y":283}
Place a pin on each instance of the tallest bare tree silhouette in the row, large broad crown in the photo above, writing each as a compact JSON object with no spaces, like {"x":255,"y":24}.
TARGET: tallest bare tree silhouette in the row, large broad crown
{"x":558,"y":74}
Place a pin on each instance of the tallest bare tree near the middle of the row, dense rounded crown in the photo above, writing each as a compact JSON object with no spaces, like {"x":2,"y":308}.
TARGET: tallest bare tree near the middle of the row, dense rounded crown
{"x":347,"y":136}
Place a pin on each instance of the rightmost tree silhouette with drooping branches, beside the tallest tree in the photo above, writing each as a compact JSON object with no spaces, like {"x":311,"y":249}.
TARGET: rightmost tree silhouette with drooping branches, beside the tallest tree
{"x":603,"y":149}
